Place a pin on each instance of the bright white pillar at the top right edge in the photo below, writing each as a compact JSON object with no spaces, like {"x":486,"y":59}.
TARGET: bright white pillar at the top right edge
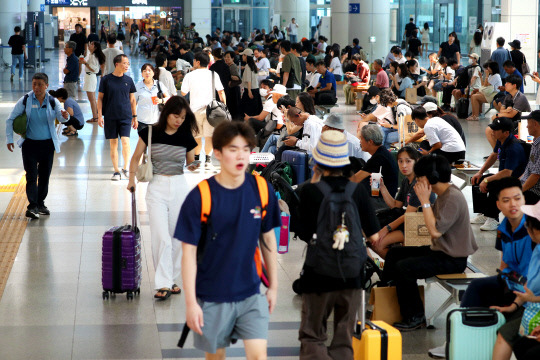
{"x":523,"y":19}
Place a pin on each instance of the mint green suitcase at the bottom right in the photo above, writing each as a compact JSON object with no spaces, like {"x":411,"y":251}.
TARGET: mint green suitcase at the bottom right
{"x":471,"y":333}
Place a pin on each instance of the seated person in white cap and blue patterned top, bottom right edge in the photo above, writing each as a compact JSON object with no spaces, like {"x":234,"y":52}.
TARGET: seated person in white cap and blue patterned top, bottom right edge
{"x":513,"y":336}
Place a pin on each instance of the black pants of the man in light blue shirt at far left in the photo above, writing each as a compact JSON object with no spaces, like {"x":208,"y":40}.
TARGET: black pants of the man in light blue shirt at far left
{"x":38,"y":157}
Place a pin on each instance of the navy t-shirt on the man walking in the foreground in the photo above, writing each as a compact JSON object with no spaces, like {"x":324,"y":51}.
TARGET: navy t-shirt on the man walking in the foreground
{"x":227,"y":270}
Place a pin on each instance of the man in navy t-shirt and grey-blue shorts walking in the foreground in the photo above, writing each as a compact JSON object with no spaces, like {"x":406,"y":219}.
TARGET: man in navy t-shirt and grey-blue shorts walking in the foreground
{"x":222,"y":285}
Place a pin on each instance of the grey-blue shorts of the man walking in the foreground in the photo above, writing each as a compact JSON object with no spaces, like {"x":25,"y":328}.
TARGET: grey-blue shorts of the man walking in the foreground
{"x":246,"y":320}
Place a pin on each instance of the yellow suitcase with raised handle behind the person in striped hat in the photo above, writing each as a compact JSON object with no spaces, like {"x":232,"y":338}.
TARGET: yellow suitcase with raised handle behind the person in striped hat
{"x":376,"y":340}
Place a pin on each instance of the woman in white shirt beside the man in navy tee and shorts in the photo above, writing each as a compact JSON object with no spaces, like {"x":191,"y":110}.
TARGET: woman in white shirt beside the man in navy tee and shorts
{"x":147,"y":98}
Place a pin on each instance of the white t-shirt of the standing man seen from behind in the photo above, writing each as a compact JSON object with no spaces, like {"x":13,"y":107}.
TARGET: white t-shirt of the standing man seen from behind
{"x":198,"y":83}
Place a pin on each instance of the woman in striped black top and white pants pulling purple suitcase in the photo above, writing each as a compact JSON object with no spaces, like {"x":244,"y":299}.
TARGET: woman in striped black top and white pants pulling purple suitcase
{"x":172,"y":146}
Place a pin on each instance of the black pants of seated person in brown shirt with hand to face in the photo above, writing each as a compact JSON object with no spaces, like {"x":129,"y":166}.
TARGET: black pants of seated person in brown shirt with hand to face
{"x":405,"y":265}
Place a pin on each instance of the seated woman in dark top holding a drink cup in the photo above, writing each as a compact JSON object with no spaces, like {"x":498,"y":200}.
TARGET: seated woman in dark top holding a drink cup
{"x":405,"y":201}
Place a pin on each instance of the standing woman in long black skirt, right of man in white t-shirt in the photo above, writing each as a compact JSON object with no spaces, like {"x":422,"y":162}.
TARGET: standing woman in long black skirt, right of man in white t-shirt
{"x":251,"y":103}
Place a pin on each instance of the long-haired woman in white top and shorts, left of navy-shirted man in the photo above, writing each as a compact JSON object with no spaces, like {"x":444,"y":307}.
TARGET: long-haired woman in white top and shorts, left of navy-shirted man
{"x":94,"y":61}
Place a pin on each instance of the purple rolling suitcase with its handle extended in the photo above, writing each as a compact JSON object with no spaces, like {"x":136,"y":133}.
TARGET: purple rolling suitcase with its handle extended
{"x":121,"y":258}
